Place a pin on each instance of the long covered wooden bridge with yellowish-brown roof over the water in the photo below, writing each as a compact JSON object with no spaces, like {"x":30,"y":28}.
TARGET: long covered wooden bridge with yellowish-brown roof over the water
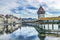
{"x":47,"y":21}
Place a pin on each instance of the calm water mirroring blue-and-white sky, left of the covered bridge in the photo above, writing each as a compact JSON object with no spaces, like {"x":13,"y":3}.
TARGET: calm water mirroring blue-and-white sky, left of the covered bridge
{"x":26,"y":33}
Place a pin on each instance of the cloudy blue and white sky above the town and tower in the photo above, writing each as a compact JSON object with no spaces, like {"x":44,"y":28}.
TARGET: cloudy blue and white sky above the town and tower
{"x":29,"y":8}
